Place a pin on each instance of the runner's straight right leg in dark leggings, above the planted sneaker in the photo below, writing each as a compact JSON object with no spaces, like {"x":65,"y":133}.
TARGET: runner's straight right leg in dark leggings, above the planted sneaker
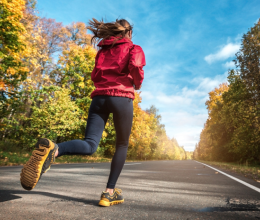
{"x":122,"y":109}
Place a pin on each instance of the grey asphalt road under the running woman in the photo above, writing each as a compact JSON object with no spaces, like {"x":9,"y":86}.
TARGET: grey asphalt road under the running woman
{"x":152,"y":190}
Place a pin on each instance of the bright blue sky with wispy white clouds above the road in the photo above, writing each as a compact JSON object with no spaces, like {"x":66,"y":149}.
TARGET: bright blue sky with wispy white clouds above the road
{"x":189,"y":47}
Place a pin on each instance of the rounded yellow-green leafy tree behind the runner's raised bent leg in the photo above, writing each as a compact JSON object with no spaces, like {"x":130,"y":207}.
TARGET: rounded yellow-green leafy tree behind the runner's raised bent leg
{"x":52,"y":115}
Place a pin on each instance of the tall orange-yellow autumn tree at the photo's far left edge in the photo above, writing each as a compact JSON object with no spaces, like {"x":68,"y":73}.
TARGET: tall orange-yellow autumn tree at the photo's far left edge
{"x":16,"y":17}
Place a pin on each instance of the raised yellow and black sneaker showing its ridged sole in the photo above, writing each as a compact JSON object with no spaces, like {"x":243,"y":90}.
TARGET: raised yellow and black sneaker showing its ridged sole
{"x":40,"y":162}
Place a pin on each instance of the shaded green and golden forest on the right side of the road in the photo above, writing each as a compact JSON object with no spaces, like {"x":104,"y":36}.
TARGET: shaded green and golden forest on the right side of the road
{"x":232,"y":130}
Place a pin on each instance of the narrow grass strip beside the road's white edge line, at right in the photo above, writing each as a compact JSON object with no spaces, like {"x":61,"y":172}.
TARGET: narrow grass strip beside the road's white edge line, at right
{"x":250,"y":171}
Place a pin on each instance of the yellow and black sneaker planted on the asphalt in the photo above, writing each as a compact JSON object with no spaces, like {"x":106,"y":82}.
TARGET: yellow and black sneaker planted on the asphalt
{"x":108,"y":200}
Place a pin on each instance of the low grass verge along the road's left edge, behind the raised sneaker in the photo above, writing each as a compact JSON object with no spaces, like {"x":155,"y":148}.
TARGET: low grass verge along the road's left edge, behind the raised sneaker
{"x":20,"y":158}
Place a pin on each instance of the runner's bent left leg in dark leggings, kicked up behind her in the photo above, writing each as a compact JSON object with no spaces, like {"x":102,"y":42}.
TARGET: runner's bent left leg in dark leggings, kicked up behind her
{"x":97,"y":118}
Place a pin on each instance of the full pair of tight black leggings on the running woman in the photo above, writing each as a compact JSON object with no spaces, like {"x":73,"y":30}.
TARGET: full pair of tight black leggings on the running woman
{"x":101,"y":107}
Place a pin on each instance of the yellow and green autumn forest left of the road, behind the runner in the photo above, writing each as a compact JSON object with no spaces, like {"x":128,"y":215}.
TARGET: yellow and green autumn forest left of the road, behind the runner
{"x":45,"y":87}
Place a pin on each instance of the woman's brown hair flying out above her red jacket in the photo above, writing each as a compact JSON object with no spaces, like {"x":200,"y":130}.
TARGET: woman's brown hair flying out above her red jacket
{"x":102,"y":30}
